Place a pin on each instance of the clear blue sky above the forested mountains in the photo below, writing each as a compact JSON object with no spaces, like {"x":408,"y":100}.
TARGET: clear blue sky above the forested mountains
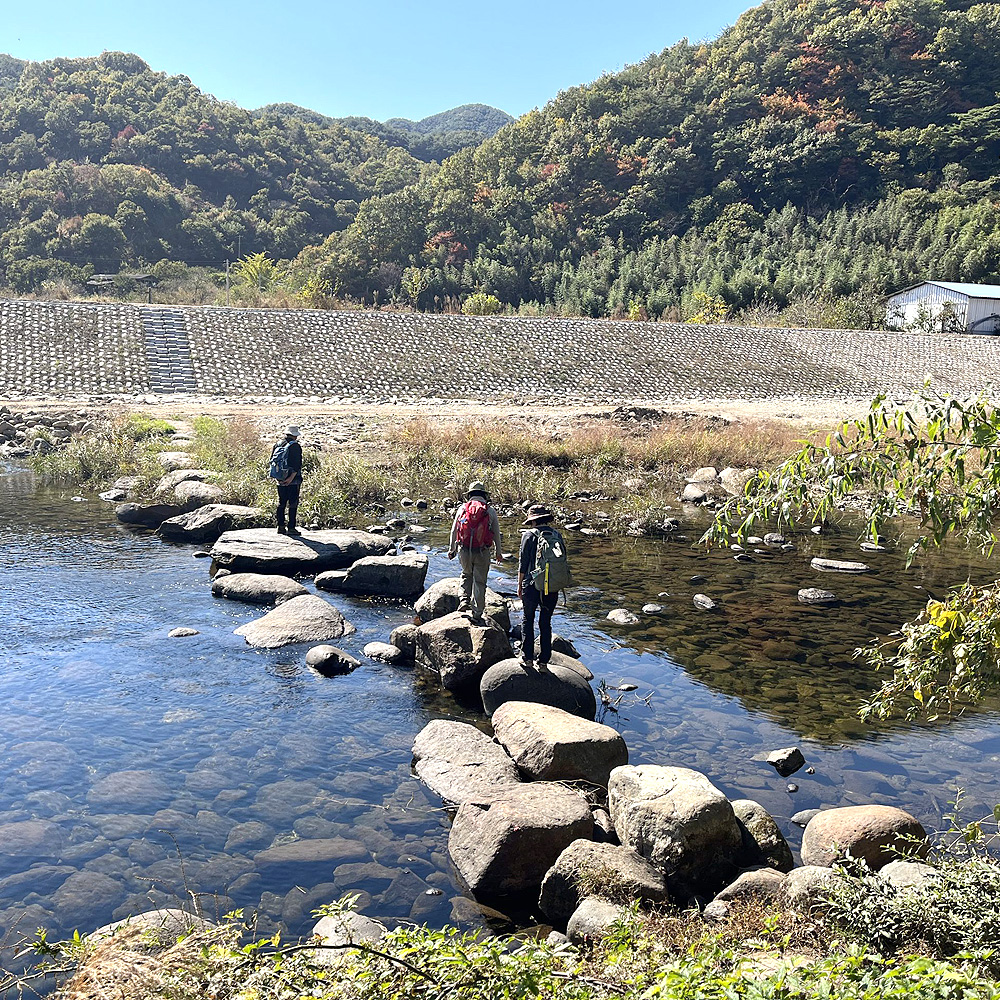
{"x":383,"y":59}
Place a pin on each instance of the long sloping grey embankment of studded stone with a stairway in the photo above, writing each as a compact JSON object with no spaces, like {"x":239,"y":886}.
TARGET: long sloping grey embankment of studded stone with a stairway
{"x":75,"y":349}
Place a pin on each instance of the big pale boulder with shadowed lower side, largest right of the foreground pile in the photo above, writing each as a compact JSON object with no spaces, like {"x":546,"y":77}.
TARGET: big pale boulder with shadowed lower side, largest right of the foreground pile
{"x":679,"y":821}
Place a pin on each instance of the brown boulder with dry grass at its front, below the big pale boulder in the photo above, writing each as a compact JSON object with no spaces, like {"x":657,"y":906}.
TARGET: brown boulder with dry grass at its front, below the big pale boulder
{"x":587,"y":869}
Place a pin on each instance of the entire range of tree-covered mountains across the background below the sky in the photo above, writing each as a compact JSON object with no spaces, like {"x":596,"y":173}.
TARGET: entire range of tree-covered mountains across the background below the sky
{"x":830,"y":148}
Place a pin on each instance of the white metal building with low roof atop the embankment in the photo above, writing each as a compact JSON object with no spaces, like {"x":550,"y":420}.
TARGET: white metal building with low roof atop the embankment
{"x":946,"y":306}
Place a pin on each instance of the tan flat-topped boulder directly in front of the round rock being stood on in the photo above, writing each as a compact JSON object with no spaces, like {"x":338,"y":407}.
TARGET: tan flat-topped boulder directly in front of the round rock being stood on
{"x":550,"y":744}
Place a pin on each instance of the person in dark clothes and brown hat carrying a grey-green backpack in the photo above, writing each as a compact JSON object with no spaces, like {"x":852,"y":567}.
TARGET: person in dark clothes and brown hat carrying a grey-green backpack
{"x":542,"y":571}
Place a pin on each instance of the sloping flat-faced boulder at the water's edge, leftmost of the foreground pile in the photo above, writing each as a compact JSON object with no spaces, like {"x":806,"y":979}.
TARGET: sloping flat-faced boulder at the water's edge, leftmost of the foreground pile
{"x":458,"y":761}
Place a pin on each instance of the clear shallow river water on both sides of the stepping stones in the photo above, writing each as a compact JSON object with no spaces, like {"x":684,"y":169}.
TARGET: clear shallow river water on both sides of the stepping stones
{"x":240,"y":749}
